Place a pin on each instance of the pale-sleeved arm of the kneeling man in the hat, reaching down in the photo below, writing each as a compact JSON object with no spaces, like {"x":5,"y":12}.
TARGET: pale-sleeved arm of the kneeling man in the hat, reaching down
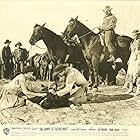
{"x":70,"y":80}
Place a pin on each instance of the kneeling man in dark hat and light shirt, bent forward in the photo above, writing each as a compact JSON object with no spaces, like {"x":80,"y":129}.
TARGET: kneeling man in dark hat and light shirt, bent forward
{"x":74,"y":88}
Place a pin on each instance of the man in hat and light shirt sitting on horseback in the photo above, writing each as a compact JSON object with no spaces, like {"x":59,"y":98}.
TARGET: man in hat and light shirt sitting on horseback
{"x":108,"y":26}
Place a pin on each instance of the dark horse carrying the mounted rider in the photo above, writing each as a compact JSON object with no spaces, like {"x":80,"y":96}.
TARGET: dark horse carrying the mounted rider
{"x":92,"y":48}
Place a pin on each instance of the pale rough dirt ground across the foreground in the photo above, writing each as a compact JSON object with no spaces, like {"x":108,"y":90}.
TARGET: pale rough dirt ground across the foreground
{"x":110,"y":106}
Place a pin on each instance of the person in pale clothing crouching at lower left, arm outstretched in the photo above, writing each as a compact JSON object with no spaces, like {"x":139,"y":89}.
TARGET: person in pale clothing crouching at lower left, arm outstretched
{"x":15,"y":93}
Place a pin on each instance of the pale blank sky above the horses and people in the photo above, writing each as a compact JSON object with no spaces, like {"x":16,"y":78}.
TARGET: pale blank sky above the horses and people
{"x":17,"y":17}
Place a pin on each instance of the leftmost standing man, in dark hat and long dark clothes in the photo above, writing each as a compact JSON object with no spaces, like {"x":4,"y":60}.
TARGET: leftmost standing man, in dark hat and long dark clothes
{"x":7,"y":59}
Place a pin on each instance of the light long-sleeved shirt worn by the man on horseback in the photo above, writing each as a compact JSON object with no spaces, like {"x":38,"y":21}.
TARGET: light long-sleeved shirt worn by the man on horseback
{"x":109,"y":22}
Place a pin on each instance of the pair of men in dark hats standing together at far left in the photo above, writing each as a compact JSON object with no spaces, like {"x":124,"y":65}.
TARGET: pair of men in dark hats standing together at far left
{"x":12,"y":63}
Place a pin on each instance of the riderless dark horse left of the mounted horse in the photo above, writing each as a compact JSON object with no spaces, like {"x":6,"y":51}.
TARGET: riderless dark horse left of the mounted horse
{"x":57,"y":49}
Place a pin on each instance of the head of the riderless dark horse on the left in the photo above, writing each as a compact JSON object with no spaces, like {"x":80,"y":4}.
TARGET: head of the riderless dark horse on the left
{"x":37,"y":34}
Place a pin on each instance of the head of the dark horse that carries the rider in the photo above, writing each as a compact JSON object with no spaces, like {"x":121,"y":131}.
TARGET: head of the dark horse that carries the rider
{"x":72,"y":28}
